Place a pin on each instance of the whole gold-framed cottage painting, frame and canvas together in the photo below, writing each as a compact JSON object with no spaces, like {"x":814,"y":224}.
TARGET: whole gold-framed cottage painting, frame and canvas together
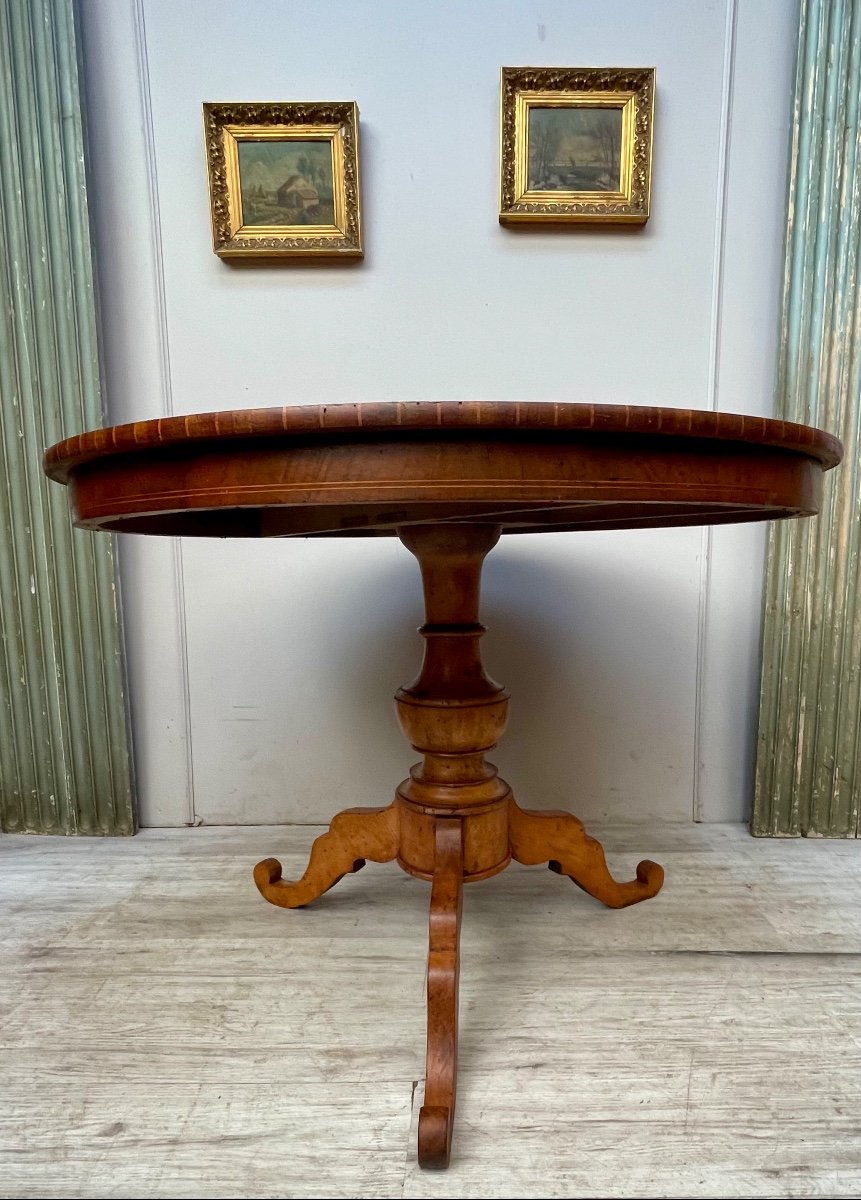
{"x":285,"y":179}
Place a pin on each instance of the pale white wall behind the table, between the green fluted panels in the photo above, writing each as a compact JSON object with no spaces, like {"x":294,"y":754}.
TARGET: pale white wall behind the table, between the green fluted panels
{"x":262,"y":673}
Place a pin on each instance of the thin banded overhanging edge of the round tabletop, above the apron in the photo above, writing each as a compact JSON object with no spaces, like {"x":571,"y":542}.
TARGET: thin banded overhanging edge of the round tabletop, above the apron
{"x":310,"y":422}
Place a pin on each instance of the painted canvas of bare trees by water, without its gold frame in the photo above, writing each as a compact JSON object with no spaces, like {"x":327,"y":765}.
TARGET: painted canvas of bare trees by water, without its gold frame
{"x":575,"y":149}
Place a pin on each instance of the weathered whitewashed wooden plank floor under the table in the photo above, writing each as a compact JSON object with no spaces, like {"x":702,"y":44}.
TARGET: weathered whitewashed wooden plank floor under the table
{"x":165,"y":1033}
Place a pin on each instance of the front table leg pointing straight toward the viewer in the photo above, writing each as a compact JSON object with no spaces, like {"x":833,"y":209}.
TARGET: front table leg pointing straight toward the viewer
{"x":437,"y":1117}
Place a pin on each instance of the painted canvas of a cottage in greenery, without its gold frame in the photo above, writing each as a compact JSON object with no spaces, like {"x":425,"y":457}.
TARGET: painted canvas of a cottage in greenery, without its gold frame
{"x":287,"y":183}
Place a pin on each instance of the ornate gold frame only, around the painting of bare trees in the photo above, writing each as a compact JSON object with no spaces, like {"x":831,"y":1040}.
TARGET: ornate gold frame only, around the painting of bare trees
{"x":631,"y":89}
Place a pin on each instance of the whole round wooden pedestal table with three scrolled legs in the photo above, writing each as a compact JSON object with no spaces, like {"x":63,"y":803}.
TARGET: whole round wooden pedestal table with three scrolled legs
{"x":448,"y":479}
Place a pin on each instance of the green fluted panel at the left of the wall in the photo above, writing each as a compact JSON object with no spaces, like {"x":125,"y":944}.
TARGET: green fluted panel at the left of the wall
{"x":65,"y":764}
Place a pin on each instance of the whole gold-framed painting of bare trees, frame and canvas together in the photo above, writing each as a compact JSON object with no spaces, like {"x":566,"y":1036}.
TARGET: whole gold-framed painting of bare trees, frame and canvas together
{"x":576,"y":145}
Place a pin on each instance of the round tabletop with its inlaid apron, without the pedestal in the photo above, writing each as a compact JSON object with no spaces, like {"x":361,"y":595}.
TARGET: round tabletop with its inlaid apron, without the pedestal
{"x":371,"y":469}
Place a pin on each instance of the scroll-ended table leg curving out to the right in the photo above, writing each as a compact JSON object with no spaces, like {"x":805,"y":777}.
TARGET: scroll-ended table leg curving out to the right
{"x":561,"y":841}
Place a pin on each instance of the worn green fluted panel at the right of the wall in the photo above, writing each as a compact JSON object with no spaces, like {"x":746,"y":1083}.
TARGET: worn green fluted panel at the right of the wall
{"x":809,"y":777}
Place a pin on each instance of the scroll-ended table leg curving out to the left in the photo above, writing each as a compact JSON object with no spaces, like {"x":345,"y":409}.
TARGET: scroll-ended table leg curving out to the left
{"x":354,"y":836}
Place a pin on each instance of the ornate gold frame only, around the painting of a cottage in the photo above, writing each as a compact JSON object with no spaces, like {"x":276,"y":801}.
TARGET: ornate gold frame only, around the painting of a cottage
{"x":226,"y":125}
